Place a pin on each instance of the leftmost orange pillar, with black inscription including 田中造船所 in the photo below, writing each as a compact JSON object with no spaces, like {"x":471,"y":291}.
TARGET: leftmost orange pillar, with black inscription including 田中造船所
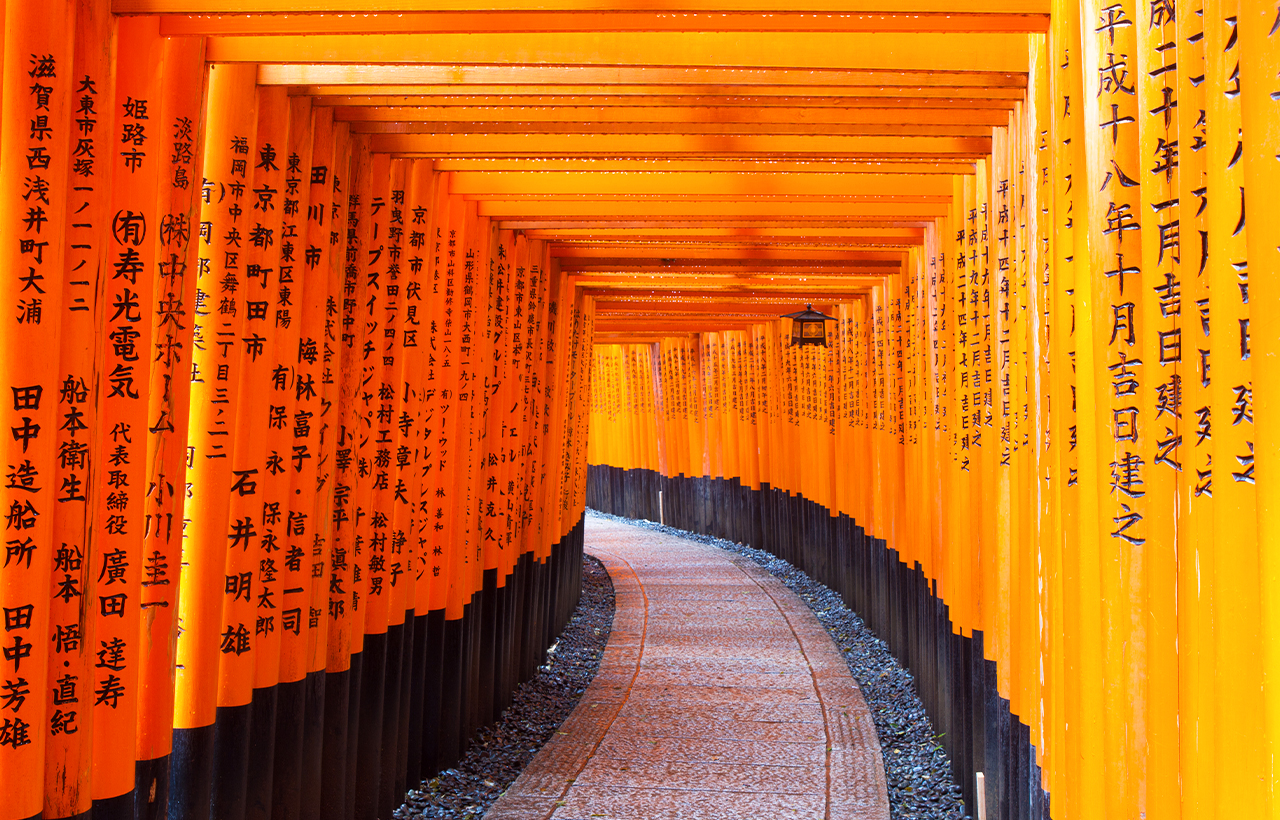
{"x":35,"y":167}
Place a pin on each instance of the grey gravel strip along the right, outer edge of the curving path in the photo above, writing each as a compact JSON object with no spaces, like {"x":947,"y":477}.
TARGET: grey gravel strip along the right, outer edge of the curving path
{"x":917,"y":769}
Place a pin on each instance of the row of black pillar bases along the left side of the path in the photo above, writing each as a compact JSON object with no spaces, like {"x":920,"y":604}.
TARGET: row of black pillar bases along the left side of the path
{"x":349,"y":745}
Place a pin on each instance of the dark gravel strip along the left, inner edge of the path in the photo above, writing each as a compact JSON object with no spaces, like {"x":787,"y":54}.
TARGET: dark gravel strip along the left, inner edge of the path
{"x":501,"y":752}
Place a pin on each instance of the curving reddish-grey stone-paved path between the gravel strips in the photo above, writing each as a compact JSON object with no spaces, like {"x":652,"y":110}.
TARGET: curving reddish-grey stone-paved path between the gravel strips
{"x":720,"y":697}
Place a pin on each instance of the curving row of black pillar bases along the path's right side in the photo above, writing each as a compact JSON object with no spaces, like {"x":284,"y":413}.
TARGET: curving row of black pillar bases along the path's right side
{"x":957,"y":682}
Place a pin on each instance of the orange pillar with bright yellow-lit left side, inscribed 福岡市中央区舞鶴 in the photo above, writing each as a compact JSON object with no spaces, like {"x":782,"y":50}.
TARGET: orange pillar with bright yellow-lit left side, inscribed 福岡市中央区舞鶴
{"x":220,"y":315}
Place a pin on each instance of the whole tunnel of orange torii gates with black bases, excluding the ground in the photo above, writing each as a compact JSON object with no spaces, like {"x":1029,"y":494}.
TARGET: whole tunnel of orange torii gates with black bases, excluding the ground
{"x":298,"y":311}
